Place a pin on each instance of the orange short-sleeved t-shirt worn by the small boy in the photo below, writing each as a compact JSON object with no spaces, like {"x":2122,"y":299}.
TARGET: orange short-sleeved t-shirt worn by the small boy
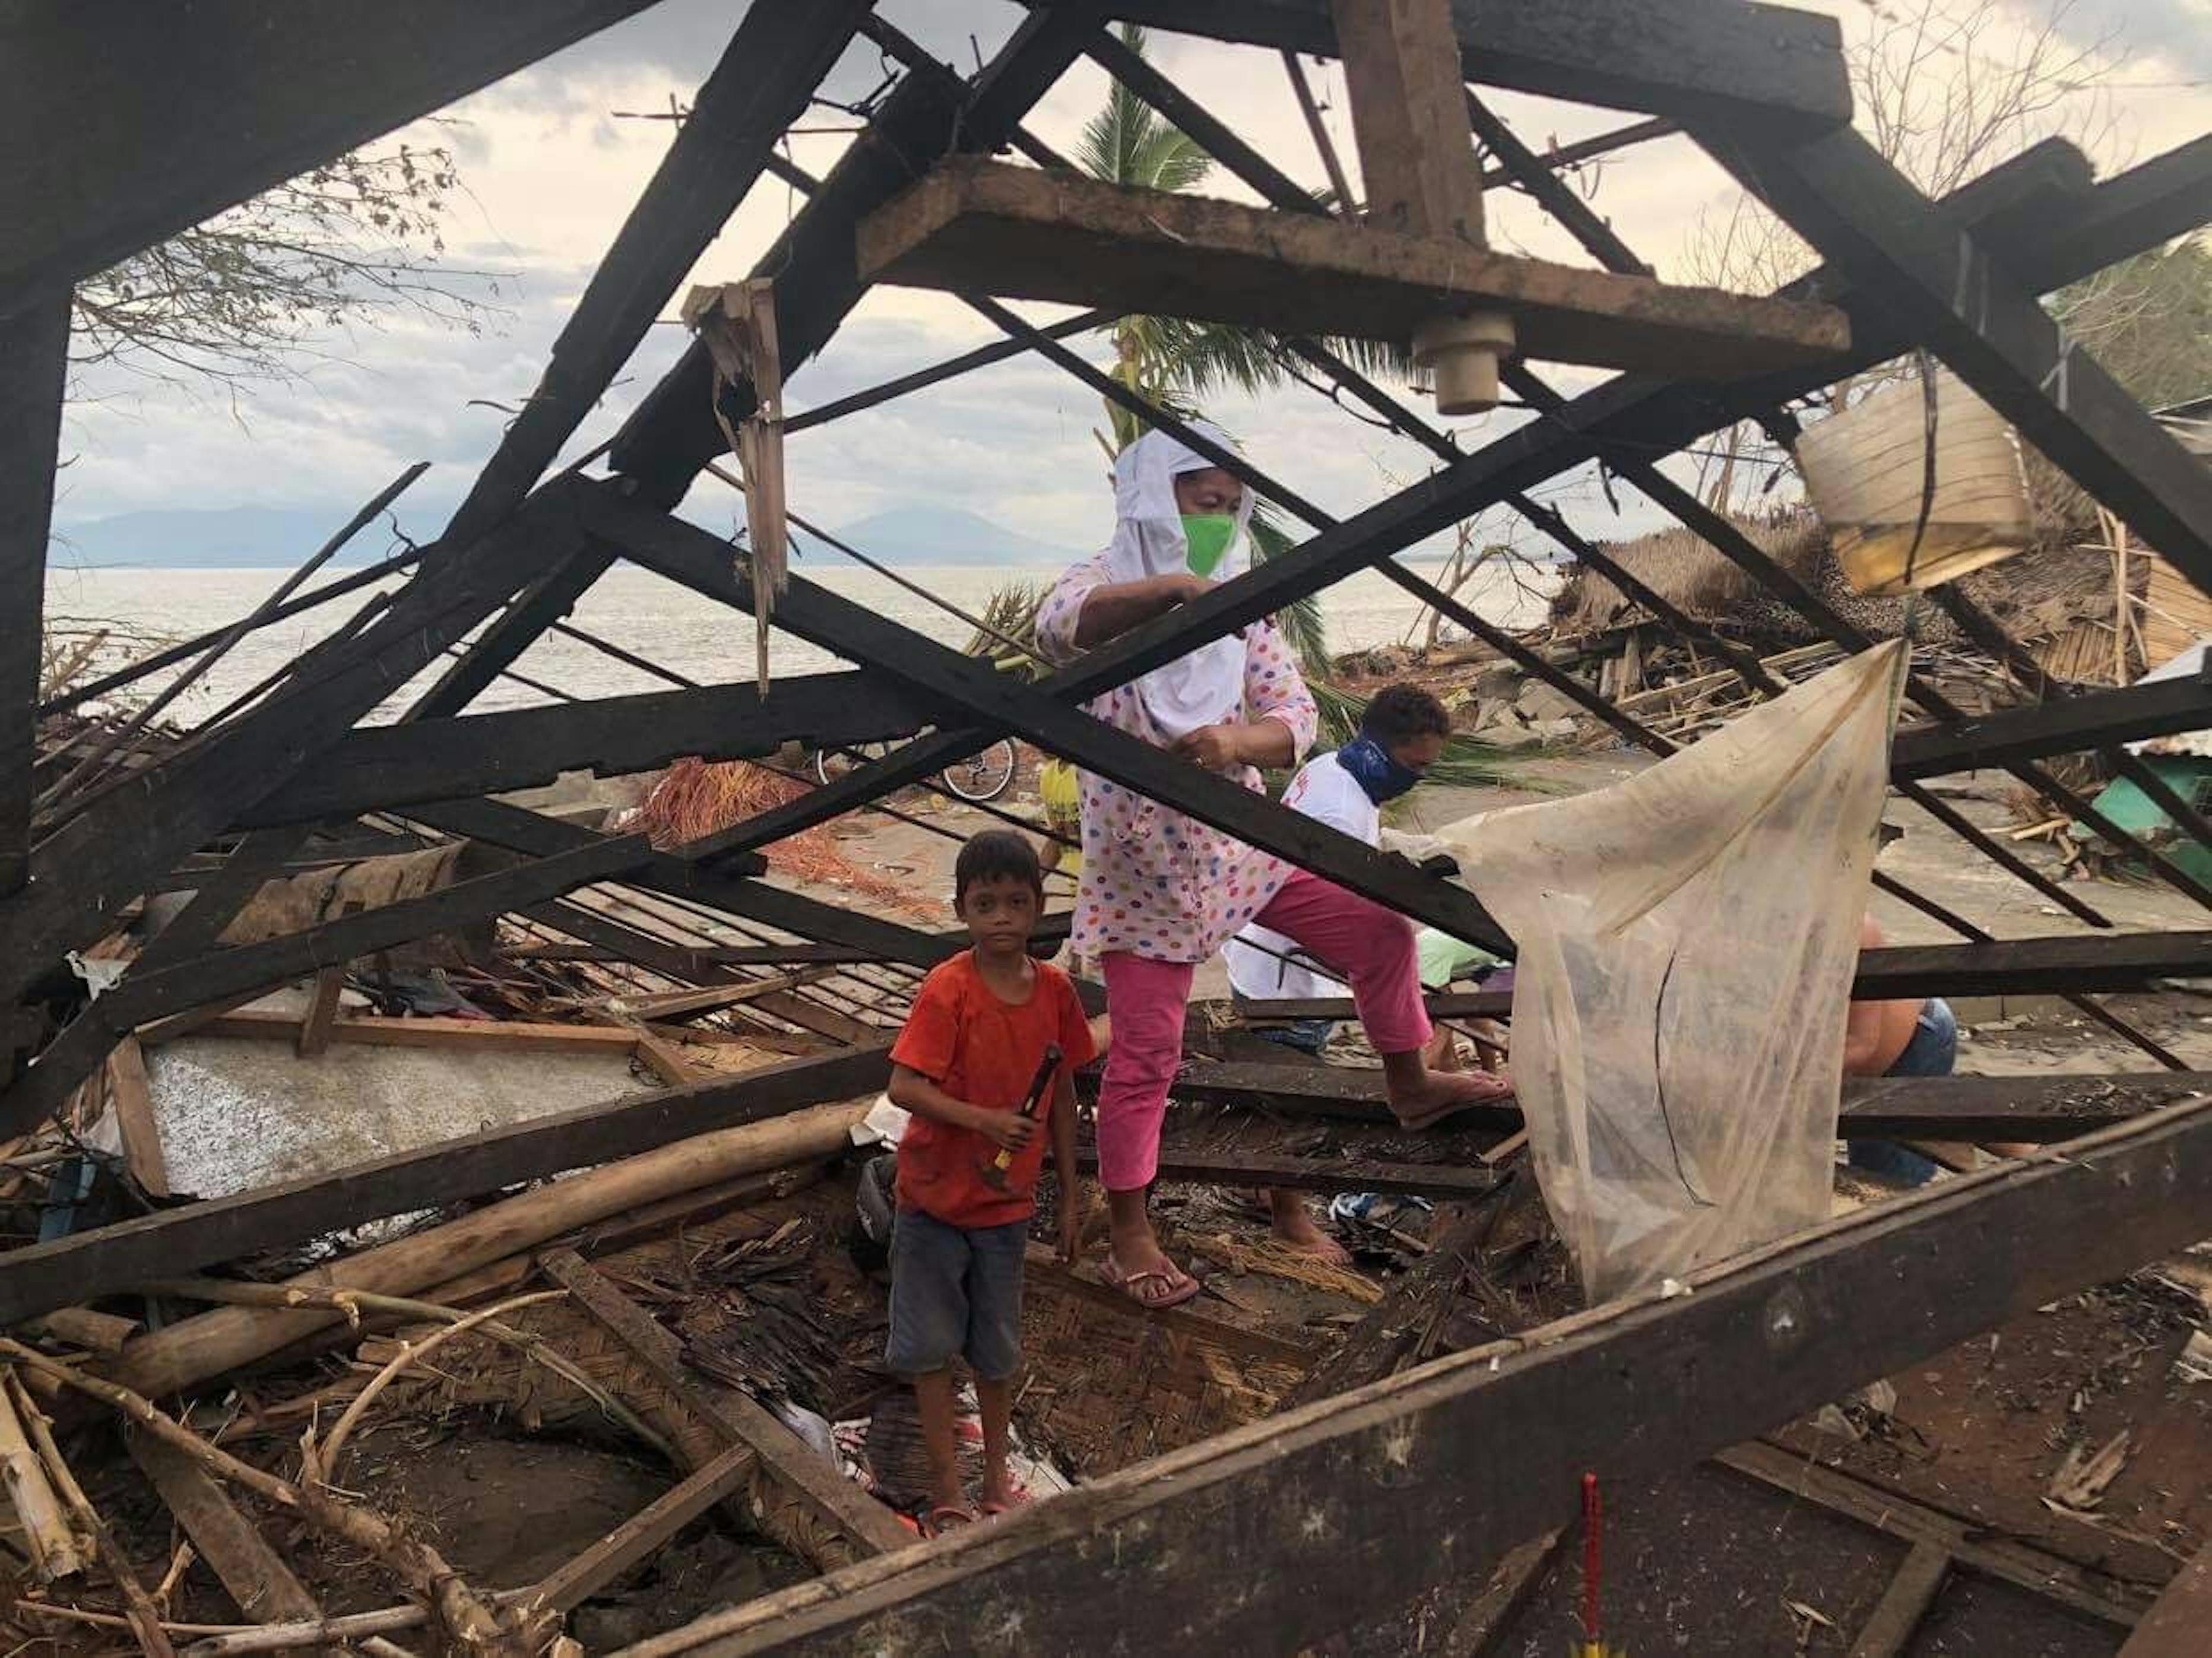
{"x":981,"y":1051}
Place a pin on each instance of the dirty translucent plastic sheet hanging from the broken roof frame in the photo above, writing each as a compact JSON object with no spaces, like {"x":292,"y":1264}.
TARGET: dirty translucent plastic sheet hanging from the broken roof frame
{"x":1687,"y":945}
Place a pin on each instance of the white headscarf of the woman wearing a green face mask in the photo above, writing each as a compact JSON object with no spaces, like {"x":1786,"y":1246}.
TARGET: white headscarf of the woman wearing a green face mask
{"x":1207,"y":686}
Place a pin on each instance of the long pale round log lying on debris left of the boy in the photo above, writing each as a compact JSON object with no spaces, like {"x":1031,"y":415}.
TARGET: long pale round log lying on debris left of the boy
{"x":209,"y":1345}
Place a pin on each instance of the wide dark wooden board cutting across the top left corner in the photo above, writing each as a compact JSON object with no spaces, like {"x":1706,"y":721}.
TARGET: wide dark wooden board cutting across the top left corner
{"x":209,"y":103}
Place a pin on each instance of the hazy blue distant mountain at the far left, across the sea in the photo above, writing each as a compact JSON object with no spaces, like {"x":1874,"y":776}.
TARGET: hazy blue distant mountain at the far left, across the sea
{"x":236,"y":538}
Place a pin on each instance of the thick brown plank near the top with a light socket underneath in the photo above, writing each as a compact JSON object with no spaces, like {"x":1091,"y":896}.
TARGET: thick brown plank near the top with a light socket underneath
{"x":1025,"y":233}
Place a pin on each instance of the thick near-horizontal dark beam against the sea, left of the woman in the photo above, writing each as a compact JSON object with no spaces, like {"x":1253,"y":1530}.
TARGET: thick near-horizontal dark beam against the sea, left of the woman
{"x":401,"y":766}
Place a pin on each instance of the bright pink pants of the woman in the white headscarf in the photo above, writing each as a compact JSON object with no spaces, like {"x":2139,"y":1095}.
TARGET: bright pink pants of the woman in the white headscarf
{"x":1370,"y":945}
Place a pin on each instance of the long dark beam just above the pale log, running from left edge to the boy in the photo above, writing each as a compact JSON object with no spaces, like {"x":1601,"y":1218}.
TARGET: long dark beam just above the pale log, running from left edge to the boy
{"x":178,"y":1241}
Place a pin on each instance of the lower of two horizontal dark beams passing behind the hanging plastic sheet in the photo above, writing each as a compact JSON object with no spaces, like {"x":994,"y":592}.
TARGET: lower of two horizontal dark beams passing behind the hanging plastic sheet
{"x":1945,"y":1109}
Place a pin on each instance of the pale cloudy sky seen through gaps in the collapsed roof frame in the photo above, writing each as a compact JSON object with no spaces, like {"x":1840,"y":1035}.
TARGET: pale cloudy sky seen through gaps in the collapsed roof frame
{"x":550,"y":171}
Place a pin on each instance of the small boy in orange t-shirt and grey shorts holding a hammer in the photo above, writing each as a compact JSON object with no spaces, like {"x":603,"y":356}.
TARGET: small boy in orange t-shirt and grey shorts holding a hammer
{"x":963,"y":1067}
